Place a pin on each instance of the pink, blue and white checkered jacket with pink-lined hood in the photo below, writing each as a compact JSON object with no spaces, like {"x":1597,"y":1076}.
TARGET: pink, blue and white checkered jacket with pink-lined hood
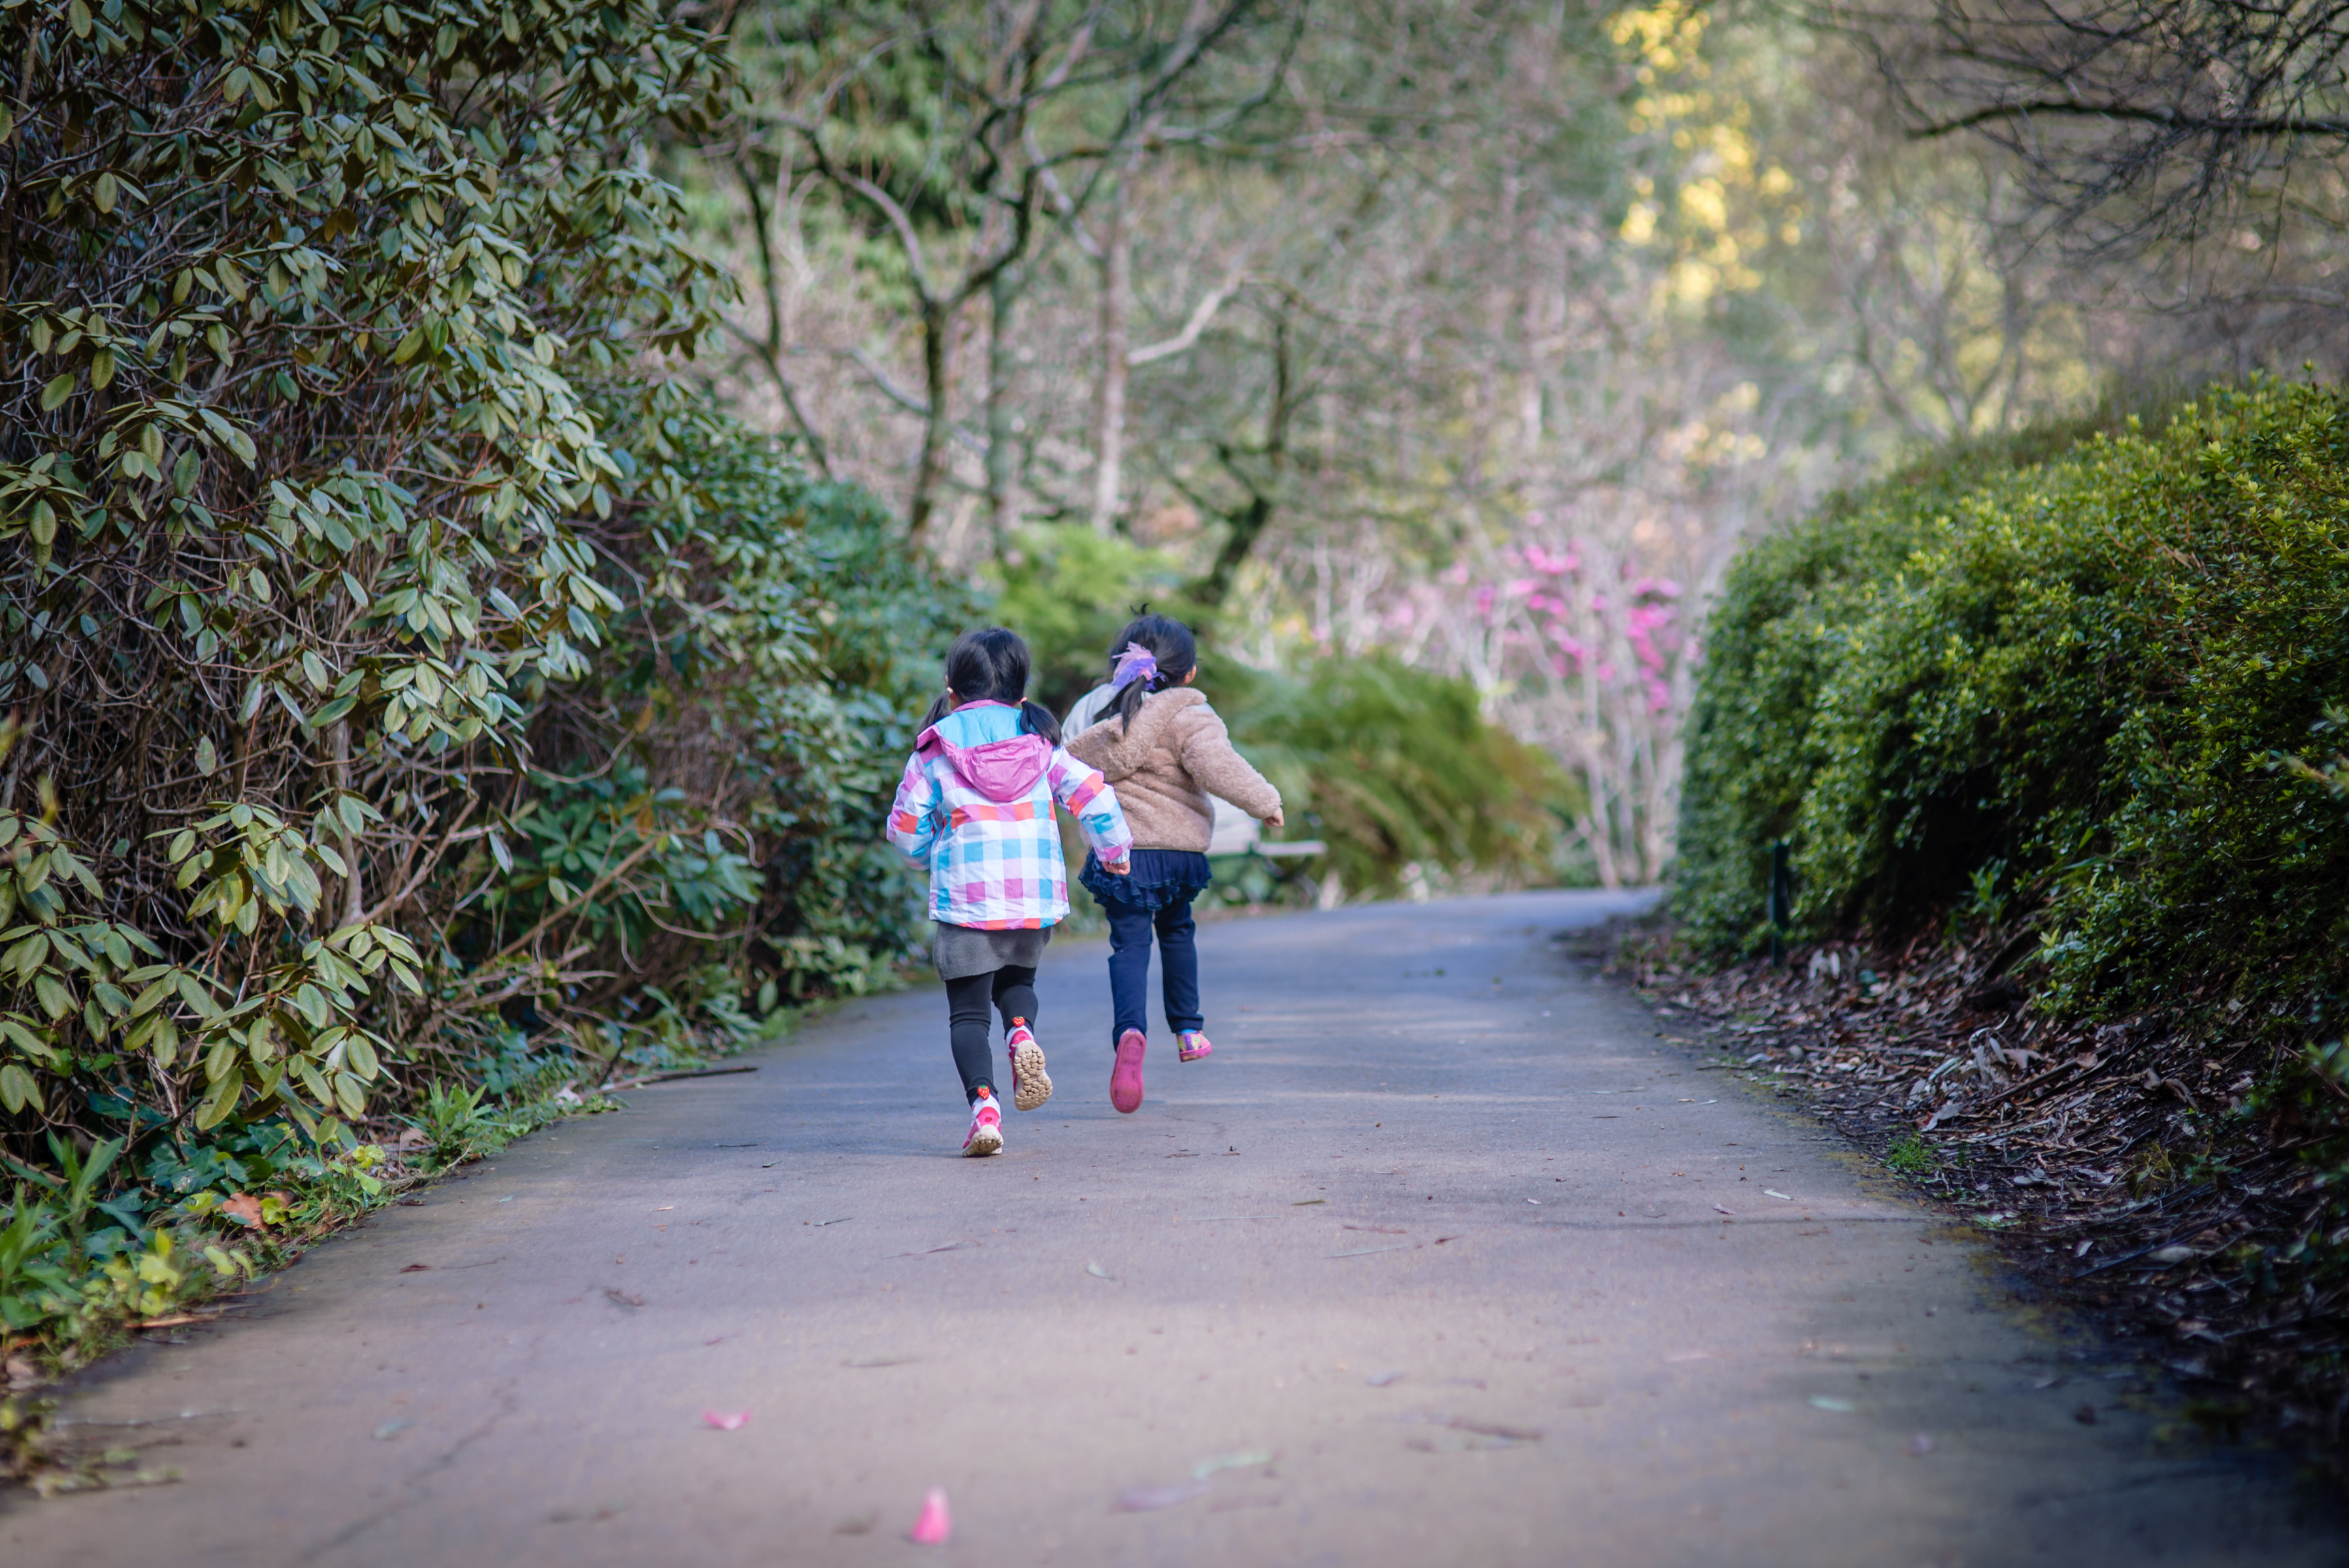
{"x":976,"y":809}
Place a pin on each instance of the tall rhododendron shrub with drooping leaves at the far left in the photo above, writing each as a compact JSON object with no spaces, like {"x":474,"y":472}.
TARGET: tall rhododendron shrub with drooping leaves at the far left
{"x":309,"y":309}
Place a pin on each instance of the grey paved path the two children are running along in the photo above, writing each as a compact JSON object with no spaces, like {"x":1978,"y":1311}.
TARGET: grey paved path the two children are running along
{"x":1439,"y":1231}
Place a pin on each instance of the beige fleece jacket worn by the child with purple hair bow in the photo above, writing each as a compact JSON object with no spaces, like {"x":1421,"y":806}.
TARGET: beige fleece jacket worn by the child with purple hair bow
{"x":1169,"y":764}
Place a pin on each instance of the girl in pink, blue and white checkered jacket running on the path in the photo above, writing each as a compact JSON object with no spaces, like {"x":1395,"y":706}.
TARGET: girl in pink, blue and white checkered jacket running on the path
{"x":976,"y":809}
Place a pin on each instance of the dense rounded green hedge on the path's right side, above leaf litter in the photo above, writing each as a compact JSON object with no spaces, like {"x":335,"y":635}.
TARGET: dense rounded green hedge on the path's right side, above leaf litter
{"x":2050,"y":677}
